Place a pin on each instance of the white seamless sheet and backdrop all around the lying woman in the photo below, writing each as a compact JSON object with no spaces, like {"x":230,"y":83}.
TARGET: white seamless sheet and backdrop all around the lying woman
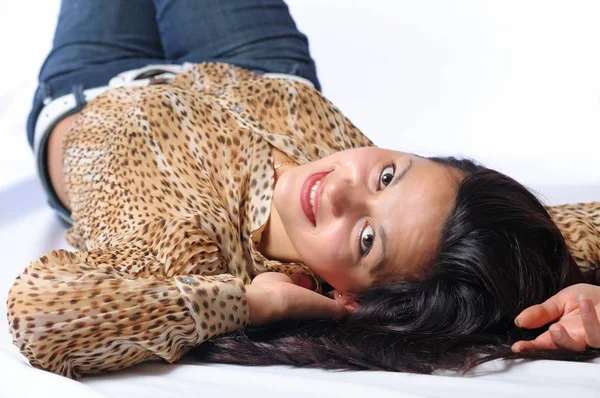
{"x":511,"y":83}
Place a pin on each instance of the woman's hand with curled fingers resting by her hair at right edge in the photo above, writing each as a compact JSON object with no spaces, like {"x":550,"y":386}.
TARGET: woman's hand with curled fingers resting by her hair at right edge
{"x":575,"y":312}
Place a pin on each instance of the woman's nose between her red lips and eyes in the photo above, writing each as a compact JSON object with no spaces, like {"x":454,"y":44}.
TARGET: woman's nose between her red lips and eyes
{"x":343,"y":194}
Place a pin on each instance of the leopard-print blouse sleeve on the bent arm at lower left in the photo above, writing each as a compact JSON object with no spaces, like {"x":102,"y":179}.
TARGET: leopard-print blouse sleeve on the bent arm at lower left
{"x":75,"y":313}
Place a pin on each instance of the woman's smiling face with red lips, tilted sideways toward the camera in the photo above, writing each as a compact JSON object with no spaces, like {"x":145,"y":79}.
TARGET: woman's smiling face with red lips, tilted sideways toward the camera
{"x":375,"y":215}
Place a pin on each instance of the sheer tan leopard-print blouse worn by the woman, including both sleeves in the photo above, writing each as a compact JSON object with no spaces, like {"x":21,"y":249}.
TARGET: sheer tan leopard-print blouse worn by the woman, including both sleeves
{"x":169,"y":187}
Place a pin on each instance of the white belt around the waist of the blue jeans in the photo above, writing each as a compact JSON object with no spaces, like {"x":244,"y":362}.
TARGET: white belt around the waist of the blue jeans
{"x":54,"y":110}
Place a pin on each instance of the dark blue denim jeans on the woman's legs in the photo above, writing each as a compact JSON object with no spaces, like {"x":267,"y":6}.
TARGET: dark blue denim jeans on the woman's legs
{"x":98,"y":39}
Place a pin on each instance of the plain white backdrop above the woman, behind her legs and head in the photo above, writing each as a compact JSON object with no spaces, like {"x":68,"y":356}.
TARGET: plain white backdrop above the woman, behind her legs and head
{"x":513,"y":83}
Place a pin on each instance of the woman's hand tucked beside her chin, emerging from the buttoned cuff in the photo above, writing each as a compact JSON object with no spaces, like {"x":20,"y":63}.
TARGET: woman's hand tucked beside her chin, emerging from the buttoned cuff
{"x":273,"y":297}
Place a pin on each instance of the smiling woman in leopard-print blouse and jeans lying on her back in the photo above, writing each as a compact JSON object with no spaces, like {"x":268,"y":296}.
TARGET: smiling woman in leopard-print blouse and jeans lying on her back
{"x":226,"y":207}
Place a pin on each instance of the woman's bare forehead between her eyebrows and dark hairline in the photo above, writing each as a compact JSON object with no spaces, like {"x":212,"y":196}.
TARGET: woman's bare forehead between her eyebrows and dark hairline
{"x":413,"y":214}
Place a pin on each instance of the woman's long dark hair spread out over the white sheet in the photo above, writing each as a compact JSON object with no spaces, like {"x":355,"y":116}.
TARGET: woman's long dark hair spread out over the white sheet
{"x":500,"y":252}
